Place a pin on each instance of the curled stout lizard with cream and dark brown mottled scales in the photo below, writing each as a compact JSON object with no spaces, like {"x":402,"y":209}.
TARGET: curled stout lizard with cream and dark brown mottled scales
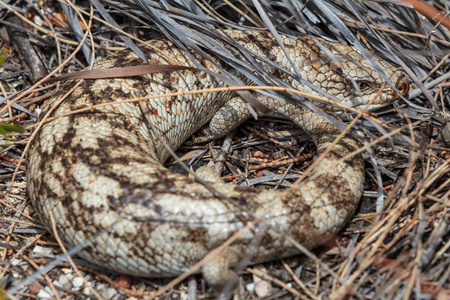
{"x":101,"y":171}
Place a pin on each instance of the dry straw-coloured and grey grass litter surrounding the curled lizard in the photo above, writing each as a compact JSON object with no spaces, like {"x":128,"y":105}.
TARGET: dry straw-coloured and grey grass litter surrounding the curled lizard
{"x":397,"y":245}
